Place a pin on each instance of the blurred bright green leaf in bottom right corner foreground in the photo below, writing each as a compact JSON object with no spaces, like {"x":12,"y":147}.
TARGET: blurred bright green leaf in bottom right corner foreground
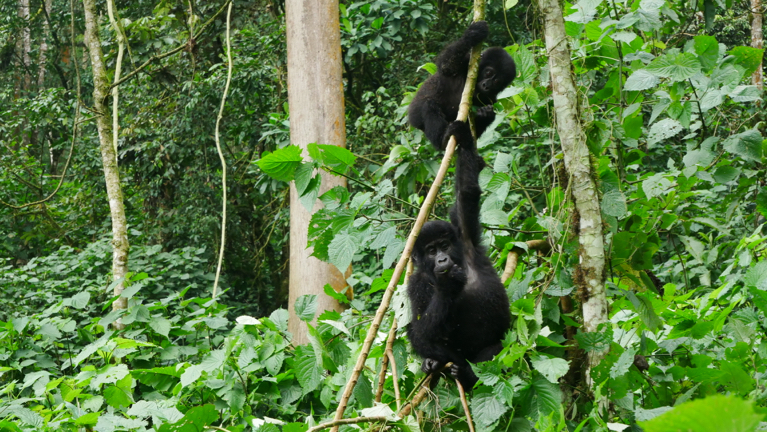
{"x":713,"y":414}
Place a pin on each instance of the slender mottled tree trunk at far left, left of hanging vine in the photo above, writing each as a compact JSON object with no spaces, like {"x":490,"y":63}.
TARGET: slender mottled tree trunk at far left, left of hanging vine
{"x":108,"y":155}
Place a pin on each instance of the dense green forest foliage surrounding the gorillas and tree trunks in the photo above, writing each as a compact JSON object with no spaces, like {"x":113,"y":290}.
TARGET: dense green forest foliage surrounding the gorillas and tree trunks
{"x":675,"y":138}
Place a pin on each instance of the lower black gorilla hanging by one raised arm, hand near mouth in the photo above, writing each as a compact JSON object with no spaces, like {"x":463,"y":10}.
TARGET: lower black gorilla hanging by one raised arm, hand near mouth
{"x":460,"y":311}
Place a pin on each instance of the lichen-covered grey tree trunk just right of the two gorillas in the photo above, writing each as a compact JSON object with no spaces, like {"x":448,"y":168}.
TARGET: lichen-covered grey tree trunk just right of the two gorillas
{"x":590,"y":271}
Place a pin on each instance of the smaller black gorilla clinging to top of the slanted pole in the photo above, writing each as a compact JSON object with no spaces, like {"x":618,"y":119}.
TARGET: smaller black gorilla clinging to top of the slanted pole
{"x":436,"y":103}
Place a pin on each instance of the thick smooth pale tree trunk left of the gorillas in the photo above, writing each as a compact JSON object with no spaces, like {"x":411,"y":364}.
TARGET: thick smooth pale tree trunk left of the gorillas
{"x":315,"y":95}
